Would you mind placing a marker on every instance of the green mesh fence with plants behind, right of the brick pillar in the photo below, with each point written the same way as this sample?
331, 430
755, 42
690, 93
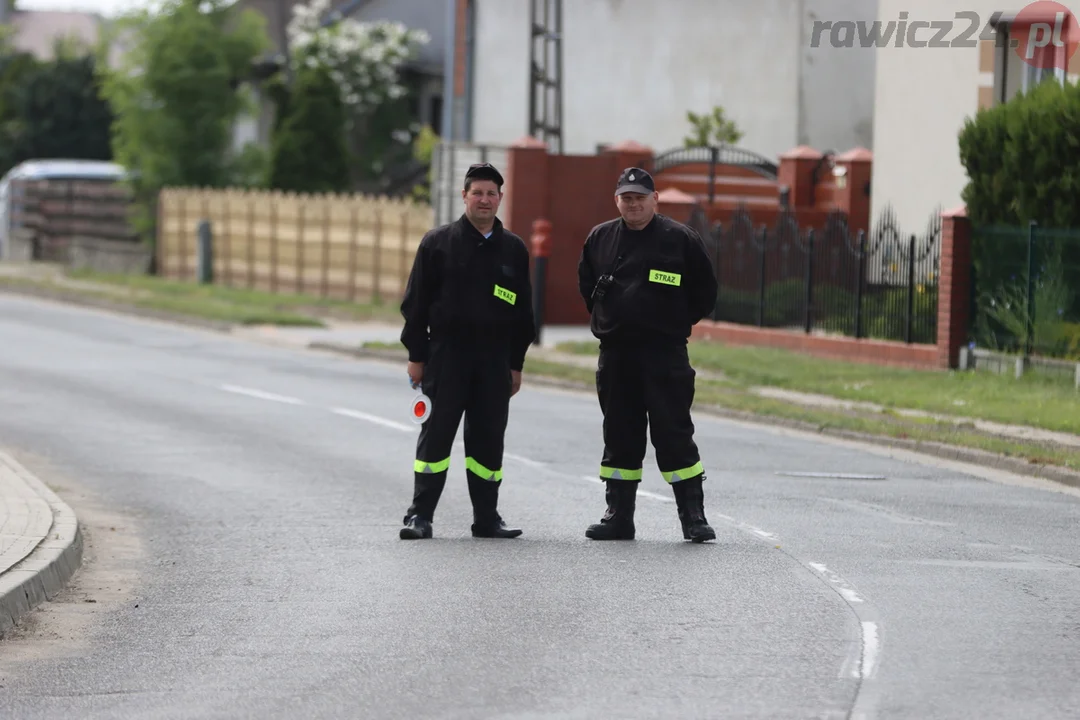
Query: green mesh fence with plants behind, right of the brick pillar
1027, 291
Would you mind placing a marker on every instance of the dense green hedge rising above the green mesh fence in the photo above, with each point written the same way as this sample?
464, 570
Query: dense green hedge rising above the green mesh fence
1023, 159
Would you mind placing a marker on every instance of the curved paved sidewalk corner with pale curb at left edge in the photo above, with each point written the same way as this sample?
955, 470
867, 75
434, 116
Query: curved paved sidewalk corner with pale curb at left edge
40, 542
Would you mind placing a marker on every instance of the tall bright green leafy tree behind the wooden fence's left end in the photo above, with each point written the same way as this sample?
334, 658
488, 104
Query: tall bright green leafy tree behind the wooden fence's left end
178, 96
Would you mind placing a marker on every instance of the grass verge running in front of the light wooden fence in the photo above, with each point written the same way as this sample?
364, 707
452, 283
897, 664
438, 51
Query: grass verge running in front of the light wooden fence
213, 303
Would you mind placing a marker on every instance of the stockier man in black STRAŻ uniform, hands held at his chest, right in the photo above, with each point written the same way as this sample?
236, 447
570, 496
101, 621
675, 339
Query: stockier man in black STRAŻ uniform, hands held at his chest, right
646, 280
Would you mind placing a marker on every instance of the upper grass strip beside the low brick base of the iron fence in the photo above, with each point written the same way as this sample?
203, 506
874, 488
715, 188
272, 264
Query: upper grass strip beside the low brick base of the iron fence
1035, 401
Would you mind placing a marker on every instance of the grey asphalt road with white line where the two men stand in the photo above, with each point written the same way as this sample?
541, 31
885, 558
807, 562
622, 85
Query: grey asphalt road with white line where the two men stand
242, 506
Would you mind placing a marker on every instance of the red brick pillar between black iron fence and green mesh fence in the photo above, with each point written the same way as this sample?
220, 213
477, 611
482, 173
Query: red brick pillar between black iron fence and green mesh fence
954, 287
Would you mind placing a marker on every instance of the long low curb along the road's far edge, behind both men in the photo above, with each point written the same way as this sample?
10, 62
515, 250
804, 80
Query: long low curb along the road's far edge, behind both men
942, 451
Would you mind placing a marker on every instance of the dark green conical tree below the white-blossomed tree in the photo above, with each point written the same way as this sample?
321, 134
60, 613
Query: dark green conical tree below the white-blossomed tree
310, 154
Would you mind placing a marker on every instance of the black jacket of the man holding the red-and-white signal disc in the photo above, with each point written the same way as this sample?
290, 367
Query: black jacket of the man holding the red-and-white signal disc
471, 289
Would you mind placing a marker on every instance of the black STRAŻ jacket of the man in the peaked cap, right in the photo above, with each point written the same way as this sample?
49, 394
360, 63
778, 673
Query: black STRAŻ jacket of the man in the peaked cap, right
664, 281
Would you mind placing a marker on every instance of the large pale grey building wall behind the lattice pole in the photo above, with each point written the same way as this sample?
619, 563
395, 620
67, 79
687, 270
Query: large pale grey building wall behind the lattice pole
632, 70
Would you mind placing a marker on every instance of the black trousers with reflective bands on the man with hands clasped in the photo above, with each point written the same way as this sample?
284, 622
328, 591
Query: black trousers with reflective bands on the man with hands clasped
641, 387
